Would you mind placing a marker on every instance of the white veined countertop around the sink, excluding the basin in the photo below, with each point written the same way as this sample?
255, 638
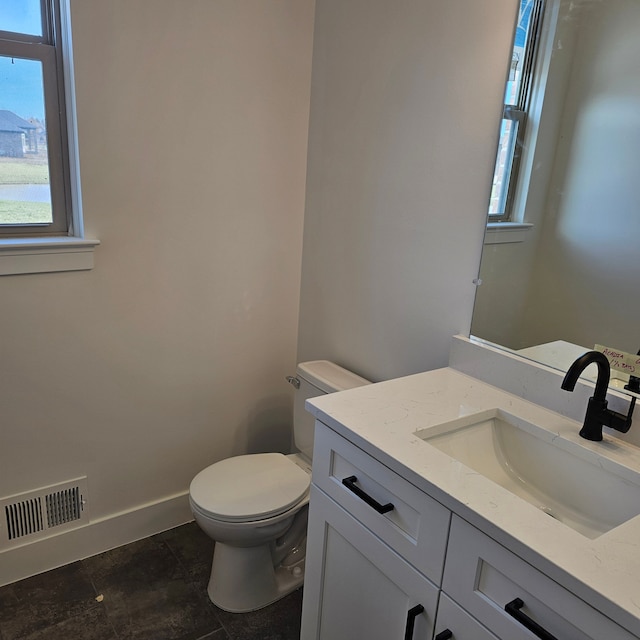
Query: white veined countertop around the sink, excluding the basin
382, 419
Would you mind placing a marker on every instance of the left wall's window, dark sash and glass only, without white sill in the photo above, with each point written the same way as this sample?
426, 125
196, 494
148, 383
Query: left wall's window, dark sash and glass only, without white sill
35, 181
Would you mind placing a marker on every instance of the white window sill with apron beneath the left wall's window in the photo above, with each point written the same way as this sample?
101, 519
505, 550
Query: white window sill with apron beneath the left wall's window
45, 255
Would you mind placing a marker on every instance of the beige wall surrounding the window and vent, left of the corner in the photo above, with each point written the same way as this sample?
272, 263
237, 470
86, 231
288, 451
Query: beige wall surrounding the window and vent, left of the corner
170, 354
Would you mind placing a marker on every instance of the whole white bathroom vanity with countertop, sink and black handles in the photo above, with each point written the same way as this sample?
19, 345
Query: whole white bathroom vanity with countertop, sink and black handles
440, 501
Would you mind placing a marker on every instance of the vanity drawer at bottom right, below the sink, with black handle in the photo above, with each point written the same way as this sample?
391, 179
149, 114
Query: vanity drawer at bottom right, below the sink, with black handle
483, 576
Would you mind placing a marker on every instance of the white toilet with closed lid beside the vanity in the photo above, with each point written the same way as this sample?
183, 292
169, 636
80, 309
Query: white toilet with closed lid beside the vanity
255, 506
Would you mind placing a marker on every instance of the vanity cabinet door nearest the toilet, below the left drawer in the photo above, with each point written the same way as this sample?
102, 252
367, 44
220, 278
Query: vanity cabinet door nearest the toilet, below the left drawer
356, 586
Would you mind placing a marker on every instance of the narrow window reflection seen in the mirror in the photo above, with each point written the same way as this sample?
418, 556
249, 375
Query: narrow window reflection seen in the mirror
514, 117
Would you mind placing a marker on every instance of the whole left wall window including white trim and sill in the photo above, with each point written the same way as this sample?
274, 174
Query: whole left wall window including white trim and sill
41, 227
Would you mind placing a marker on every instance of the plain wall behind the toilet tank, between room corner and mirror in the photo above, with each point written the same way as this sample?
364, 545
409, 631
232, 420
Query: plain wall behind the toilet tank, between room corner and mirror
406, 100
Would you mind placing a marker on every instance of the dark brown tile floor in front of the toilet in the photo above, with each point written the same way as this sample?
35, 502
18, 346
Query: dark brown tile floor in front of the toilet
154, 589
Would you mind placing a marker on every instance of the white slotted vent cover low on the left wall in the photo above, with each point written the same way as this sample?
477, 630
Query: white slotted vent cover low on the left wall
42, 513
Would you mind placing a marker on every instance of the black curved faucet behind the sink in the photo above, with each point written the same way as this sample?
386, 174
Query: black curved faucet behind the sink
597, 415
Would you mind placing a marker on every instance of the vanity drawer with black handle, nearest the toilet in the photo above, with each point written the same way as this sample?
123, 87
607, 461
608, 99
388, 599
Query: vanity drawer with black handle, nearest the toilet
417, 526
